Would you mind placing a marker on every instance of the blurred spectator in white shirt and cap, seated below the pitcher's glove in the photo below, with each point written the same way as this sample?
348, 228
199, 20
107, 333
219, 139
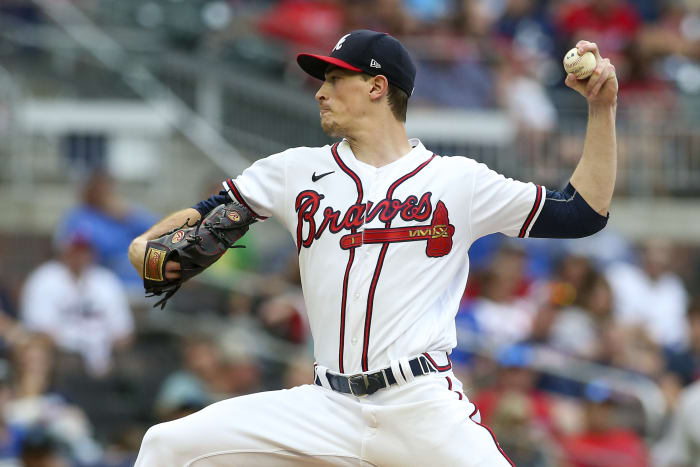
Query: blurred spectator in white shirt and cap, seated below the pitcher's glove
82, 306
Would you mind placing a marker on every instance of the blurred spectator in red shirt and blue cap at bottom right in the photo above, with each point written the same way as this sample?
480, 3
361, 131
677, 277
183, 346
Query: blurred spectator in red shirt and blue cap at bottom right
604, 442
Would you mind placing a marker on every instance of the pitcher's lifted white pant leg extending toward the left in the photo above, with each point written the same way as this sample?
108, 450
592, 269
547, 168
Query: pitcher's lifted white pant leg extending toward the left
307, 425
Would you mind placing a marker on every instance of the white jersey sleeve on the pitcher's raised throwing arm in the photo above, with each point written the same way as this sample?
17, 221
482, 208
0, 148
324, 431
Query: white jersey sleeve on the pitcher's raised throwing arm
501, 204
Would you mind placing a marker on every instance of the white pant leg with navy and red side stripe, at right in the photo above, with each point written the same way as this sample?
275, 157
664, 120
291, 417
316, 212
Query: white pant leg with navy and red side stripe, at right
428, 422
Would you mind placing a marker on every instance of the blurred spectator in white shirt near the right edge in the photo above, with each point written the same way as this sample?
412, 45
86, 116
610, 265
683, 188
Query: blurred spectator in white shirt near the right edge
652, 296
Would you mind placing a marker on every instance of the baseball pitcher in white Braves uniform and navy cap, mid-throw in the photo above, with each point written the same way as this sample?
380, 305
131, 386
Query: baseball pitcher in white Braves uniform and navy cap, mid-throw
382, 227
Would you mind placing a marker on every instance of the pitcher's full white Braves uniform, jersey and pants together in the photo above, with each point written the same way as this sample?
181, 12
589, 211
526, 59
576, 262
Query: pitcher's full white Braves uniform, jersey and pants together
383, 259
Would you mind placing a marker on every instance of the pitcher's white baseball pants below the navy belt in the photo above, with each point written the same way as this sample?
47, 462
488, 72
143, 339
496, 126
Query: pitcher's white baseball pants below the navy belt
425, 422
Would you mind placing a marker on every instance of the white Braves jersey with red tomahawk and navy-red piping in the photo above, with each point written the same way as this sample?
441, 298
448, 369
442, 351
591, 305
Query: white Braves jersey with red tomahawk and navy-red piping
383, 251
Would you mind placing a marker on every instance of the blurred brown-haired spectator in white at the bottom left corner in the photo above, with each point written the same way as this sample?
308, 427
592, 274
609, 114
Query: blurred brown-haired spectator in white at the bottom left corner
35, 405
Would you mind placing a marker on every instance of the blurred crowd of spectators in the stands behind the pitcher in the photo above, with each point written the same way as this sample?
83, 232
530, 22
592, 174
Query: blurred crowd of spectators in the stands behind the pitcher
562, 344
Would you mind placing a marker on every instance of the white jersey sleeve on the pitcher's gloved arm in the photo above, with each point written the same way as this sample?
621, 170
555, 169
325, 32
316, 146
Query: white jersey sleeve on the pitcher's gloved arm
261, 187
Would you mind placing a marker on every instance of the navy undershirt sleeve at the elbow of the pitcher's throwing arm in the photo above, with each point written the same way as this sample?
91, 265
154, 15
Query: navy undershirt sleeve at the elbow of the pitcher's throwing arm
566, 214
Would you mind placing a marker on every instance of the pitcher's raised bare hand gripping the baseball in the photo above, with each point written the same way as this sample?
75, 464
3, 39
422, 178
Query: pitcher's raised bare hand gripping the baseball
601, 87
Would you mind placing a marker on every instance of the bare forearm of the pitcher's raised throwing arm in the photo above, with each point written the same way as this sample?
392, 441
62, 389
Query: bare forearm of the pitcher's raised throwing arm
594, 177
